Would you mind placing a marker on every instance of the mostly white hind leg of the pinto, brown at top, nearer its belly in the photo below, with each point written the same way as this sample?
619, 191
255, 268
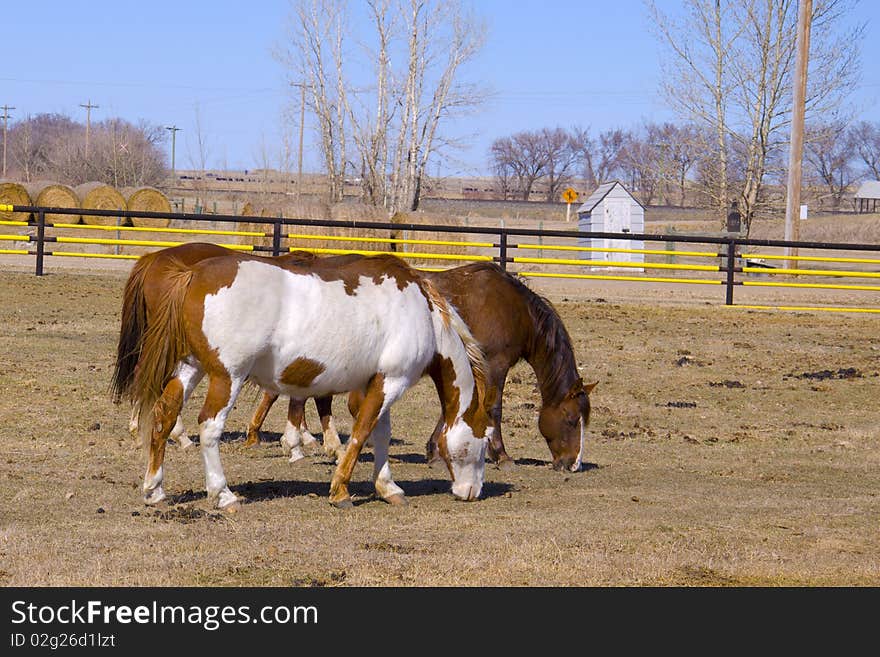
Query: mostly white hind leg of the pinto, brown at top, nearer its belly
222, 392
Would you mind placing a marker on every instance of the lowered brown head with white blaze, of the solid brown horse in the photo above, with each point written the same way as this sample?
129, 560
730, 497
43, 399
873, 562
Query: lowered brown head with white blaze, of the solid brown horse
564, 426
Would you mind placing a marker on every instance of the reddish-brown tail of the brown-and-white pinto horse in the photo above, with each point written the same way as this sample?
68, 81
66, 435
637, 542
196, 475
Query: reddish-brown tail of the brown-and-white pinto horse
163, 343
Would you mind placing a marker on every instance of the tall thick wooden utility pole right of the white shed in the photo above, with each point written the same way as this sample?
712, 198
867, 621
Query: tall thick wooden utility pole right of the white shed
796, 152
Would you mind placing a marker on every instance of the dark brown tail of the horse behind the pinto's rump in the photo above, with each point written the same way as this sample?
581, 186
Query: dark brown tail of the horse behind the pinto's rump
134, 324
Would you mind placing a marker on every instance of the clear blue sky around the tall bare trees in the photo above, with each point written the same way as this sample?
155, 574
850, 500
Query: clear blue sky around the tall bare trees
550, 63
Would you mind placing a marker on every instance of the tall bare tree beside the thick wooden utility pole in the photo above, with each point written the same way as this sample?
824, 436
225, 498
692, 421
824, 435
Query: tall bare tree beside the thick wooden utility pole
730, 69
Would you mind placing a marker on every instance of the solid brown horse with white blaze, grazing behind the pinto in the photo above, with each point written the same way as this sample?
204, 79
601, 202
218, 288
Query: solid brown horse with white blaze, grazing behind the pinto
510, 322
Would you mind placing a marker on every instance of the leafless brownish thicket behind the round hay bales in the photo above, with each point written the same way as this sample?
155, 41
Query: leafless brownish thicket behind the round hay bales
55, 147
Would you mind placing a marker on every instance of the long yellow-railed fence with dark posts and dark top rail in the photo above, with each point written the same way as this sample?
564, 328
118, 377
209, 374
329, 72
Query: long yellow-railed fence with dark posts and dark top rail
732, 268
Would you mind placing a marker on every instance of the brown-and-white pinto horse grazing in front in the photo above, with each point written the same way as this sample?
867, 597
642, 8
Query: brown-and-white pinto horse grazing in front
305, 330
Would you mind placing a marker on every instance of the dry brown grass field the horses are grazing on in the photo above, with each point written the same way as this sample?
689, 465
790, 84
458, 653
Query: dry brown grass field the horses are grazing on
727, 448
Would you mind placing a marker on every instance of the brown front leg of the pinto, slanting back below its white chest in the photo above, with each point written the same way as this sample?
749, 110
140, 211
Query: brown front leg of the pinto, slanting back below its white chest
380, 393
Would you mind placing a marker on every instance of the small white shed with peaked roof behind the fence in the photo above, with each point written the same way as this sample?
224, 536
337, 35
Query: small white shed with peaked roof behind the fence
612, 209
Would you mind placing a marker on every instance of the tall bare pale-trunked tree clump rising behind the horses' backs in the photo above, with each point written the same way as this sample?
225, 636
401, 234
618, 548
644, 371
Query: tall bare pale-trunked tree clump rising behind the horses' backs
394, 124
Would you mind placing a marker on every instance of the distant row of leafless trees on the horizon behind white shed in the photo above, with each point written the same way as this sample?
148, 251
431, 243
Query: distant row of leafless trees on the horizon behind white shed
669, 164
